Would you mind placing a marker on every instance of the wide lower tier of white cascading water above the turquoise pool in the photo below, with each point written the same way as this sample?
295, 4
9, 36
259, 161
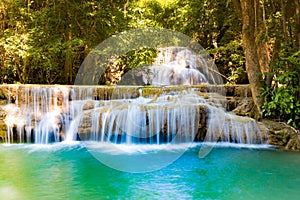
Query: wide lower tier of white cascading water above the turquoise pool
51, 114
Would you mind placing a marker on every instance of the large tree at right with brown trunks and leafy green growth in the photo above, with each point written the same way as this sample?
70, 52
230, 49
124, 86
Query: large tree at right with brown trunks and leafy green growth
277, 47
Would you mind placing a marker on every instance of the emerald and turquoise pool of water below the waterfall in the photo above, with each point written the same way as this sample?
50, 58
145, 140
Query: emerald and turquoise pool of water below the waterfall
71, 172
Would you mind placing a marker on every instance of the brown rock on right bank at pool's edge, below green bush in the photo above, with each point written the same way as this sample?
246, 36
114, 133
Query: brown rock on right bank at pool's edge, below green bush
280, 134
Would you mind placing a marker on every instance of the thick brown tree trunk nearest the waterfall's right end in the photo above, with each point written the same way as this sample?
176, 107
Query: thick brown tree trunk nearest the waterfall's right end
250, 50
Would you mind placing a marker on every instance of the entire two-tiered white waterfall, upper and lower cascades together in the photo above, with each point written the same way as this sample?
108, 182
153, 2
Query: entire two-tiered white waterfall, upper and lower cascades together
131, 114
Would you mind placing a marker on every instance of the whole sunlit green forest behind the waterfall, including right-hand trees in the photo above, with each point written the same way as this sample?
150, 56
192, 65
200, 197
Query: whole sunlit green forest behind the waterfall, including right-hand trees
255, 41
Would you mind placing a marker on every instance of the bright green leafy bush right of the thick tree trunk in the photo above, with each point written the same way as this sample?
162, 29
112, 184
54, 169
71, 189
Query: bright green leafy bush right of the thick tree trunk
282, 100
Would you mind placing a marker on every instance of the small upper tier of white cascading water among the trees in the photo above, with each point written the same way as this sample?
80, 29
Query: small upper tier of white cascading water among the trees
178, 66
